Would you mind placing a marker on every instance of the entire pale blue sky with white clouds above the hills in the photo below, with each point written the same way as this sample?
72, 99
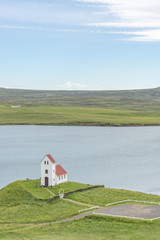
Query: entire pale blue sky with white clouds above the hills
79, 44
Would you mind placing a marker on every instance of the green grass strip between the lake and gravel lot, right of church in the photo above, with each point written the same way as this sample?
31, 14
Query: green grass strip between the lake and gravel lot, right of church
103, 196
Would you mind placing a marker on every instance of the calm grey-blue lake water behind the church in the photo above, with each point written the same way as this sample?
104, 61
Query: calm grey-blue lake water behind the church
127, 157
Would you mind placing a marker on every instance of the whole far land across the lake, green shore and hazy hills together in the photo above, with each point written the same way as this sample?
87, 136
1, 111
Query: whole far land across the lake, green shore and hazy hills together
97, 108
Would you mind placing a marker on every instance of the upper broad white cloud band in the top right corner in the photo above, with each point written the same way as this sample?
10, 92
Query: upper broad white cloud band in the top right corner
129, 13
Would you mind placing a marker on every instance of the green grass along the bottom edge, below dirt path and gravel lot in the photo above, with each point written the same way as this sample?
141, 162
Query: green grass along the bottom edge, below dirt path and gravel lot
94, 228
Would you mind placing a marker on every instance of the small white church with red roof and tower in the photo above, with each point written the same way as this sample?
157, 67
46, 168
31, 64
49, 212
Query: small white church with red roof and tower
52, 174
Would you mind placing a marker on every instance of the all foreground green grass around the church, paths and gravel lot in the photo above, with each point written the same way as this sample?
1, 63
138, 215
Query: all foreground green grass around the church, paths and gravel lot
25, 214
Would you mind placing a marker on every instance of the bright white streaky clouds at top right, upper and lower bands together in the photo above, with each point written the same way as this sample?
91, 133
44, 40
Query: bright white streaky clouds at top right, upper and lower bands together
130, 14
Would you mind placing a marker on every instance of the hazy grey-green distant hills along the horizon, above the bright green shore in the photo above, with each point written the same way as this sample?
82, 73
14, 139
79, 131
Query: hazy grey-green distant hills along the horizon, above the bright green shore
77, 98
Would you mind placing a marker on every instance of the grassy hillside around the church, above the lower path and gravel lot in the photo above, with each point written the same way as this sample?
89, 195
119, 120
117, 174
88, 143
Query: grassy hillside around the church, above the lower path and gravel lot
28, 194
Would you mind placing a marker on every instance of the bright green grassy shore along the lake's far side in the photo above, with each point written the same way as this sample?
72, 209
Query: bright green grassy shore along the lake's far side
77, 116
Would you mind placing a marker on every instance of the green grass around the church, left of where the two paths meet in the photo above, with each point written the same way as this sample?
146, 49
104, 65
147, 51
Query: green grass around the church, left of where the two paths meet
22, 202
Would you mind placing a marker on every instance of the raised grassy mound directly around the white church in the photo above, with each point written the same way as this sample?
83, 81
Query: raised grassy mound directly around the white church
25, 191
